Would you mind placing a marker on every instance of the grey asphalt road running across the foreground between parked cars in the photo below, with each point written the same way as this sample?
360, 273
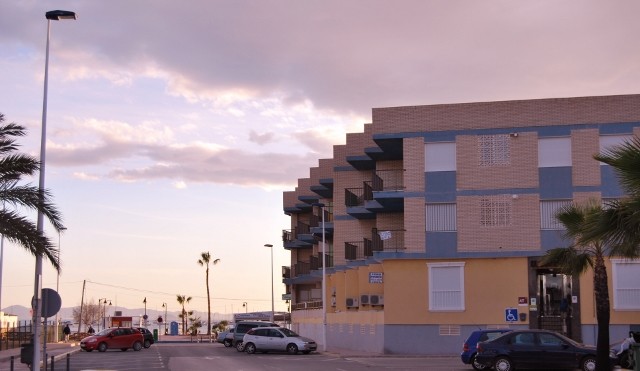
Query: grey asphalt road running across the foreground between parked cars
200, 357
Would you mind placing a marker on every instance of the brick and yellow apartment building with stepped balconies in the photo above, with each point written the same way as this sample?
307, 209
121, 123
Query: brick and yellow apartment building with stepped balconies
432, 221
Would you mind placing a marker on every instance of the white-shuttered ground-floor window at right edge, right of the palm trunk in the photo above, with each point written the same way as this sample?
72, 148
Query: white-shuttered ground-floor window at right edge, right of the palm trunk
626, 286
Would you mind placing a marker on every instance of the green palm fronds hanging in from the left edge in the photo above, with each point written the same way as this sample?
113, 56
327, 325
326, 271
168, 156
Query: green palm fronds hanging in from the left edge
16, 228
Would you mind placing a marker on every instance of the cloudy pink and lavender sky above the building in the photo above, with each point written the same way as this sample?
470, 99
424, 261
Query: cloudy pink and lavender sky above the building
174, 127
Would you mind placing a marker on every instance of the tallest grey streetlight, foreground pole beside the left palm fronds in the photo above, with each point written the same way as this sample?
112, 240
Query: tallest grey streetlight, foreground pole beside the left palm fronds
54, 15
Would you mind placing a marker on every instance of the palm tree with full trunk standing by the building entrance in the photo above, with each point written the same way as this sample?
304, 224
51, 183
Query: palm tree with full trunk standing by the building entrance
581, 255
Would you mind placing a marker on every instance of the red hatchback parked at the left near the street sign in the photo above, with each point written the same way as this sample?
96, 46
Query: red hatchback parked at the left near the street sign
113, 338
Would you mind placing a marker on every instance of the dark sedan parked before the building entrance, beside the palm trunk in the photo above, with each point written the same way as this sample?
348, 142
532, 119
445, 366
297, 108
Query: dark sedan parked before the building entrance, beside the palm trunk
537, 349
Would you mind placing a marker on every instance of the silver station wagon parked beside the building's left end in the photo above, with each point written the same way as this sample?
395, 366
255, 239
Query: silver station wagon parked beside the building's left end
264, 339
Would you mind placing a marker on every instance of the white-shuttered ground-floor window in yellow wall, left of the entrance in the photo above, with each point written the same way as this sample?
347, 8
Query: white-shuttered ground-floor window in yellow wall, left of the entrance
446, 286
